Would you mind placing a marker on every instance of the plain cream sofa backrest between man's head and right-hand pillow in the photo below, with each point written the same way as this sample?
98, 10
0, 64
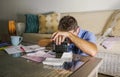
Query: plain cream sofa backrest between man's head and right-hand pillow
92, 21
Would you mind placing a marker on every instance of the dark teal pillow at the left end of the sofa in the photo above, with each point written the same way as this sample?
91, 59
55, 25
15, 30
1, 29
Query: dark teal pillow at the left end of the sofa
32, 24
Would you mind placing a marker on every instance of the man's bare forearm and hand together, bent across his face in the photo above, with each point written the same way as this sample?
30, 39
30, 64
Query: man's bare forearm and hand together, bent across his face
86, 46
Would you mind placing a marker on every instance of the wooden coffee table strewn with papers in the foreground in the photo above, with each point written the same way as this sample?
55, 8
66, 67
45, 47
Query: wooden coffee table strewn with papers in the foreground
20, 67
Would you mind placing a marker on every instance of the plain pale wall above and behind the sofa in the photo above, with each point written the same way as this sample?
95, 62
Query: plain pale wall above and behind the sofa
12, 8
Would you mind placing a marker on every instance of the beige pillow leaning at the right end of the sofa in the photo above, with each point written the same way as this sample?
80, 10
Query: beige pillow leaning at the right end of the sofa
113, 23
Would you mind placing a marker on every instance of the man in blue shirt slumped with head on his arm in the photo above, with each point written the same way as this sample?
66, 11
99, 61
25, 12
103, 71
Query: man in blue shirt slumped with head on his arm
81, 41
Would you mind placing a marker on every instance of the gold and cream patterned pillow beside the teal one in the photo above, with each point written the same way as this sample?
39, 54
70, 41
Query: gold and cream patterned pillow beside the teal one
48, 23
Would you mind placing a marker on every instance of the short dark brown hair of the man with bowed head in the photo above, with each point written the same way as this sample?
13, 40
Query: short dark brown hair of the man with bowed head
67, 23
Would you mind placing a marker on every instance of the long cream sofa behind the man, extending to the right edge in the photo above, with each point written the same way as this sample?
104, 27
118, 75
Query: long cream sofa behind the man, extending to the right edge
105, 25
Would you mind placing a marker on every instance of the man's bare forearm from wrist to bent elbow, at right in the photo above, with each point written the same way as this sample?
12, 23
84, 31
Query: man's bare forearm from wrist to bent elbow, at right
86, 46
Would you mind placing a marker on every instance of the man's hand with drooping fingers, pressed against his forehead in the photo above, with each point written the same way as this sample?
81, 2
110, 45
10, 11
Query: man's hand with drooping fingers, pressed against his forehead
59, 37
